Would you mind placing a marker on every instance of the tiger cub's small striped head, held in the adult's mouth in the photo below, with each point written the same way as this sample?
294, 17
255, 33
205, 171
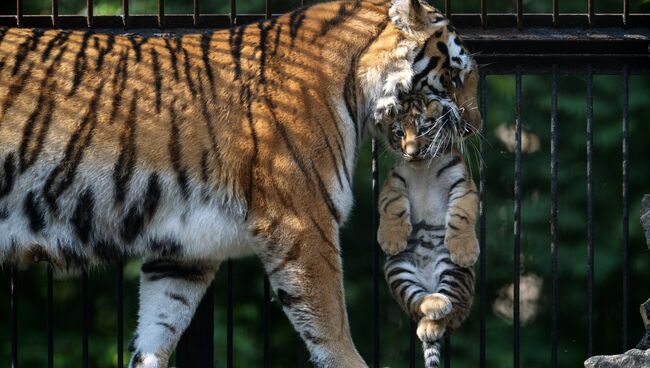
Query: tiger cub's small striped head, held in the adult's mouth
427, 127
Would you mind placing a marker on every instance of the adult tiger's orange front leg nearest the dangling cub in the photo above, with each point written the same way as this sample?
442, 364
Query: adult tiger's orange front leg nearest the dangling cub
304, 269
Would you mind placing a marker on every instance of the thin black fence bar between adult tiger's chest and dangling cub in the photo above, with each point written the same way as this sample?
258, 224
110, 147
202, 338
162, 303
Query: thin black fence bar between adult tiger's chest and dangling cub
375, 255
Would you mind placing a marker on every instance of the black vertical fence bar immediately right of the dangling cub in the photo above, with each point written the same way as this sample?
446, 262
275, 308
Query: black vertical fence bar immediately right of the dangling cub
482, 221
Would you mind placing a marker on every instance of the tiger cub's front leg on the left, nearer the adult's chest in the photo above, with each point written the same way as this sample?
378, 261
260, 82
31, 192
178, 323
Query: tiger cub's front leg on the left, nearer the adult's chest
394, 215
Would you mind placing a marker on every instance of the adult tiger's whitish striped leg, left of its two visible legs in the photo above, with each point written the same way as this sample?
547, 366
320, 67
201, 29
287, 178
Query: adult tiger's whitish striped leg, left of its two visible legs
170, 291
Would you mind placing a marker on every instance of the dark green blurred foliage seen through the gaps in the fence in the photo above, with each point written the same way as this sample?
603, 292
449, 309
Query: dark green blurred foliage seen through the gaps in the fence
357, 243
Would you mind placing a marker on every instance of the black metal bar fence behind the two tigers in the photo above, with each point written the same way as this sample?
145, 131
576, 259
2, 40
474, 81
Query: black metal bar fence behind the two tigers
506, 44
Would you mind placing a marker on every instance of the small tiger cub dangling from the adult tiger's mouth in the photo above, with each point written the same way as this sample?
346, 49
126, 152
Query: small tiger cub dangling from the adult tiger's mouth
427, 215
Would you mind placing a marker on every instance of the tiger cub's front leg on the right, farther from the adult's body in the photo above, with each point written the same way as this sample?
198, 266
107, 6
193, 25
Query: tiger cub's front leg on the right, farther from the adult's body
460, 238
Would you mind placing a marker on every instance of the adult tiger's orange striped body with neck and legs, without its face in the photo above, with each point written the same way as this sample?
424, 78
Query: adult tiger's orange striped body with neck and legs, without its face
191, 150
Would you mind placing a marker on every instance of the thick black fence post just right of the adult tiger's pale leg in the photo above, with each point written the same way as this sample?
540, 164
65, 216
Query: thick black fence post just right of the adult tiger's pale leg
196, 347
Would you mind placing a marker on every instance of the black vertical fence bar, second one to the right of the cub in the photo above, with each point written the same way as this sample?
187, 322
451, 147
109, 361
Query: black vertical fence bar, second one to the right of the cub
517, 217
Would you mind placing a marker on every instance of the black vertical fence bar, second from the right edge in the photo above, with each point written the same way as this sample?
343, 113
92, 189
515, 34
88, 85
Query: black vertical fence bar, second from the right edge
590, 215
